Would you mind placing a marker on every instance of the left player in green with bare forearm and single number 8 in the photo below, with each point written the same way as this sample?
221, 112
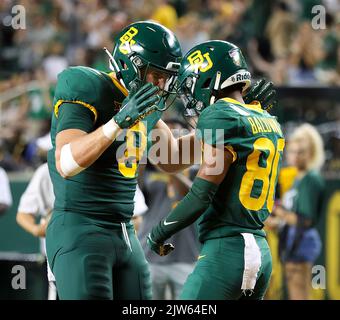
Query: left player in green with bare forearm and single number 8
91, 245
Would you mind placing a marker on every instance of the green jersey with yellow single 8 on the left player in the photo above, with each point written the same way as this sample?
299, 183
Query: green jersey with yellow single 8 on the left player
86, 99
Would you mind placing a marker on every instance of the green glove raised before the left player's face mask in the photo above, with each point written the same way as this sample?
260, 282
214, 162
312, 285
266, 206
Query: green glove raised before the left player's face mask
137, 106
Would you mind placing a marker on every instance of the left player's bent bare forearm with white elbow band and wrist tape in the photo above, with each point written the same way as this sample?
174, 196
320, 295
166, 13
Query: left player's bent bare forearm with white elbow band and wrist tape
77, 150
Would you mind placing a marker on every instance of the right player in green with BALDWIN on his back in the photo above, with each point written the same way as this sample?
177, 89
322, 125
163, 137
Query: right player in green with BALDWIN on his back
233, 192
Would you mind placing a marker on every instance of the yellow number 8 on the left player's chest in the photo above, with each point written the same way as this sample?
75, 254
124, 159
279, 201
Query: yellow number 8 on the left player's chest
128, 163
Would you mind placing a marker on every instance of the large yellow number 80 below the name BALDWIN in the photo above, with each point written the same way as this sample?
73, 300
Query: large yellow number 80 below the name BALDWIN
266, 174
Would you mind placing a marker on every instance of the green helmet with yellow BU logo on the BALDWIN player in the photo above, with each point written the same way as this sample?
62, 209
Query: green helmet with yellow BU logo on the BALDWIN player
208, 68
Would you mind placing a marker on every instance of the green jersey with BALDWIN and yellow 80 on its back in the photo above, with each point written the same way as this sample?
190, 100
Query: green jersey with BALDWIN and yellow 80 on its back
245, 198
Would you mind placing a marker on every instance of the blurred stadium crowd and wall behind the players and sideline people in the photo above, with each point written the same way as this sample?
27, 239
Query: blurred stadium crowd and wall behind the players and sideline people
278, 39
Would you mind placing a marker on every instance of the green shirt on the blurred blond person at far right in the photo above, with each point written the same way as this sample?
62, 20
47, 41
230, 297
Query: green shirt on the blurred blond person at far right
310, 199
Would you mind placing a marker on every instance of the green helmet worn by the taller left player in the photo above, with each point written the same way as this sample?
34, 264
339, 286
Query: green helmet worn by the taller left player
143, 45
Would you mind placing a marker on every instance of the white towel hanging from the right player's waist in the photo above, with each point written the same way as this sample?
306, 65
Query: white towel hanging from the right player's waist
252, 261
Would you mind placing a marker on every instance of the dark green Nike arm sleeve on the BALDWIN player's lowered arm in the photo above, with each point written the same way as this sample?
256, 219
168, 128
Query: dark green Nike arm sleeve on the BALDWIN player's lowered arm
188, 210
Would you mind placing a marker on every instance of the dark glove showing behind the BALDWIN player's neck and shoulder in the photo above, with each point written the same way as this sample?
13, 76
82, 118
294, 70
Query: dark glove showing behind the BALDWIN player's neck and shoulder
263, 92
